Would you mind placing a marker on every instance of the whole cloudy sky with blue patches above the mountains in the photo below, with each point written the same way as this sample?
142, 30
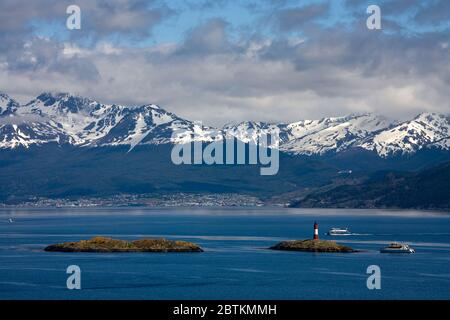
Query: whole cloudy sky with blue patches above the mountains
226, 61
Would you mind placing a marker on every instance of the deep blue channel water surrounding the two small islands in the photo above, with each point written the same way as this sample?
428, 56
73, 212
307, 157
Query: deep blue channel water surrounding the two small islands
235, 264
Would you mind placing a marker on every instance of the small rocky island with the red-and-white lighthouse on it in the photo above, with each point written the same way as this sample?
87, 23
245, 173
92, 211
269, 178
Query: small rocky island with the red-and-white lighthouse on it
312, 245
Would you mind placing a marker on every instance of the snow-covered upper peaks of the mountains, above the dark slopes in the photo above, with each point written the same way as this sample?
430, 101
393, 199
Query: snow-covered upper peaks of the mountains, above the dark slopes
67, 119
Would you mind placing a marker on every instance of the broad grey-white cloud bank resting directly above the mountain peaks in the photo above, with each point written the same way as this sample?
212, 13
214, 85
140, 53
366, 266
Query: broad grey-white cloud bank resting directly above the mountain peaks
217, 75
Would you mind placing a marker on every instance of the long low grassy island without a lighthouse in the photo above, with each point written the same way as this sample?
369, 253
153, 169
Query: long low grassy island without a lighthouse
104, 244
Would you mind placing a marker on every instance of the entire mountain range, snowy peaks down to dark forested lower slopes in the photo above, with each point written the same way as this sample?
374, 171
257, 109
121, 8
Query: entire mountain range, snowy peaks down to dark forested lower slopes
66, 146
